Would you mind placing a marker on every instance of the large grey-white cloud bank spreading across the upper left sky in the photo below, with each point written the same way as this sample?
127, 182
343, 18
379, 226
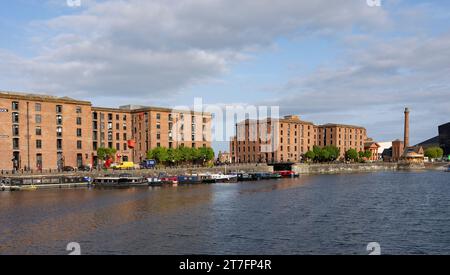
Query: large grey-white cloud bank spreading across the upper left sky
149, 48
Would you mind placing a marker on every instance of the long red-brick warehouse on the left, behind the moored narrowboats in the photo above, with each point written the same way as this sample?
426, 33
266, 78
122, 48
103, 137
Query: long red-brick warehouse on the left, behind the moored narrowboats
49, 132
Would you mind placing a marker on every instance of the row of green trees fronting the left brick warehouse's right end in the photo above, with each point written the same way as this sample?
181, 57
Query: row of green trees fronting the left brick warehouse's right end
181, 154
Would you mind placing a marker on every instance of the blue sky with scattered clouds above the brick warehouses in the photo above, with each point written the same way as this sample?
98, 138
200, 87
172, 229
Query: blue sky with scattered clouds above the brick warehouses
341, 61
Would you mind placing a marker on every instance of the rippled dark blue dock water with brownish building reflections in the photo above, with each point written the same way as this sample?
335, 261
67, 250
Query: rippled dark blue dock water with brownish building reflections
407, 213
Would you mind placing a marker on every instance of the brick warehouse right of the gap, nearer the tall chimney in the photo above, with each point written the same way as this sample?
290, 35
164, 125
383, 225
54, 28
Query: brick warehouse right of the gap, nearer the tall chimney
289, 138
